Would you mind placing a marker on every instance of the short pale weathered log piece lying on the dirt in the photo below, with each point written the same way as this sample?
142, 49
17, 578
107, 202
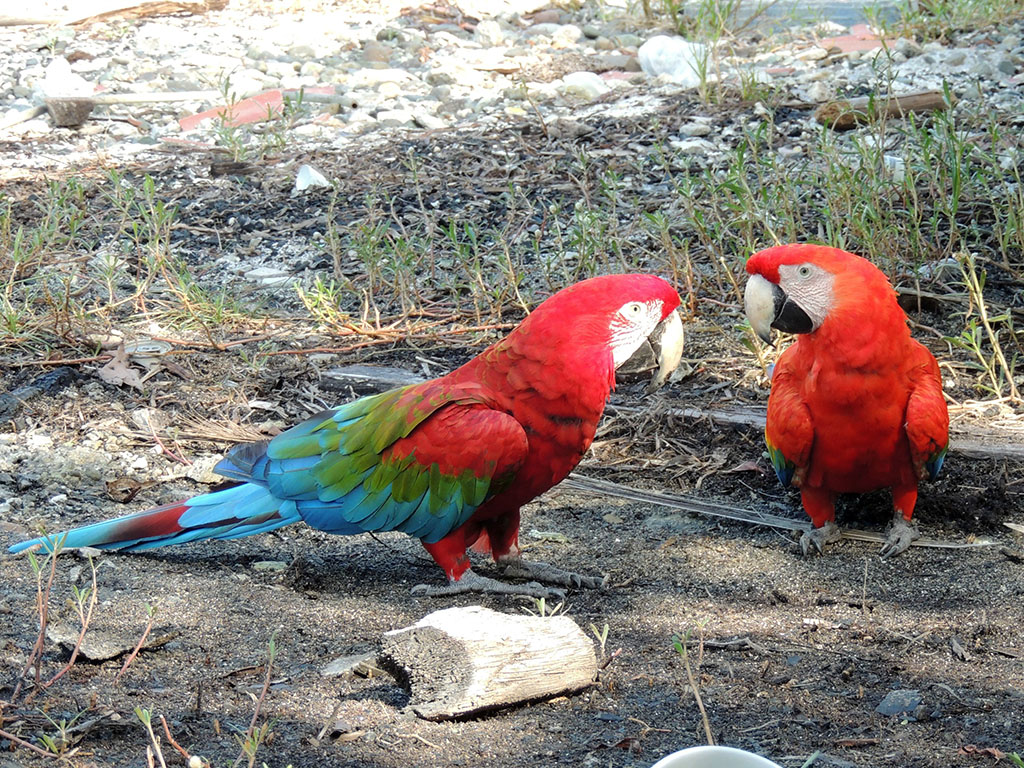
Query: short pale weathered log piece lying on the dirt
463, 661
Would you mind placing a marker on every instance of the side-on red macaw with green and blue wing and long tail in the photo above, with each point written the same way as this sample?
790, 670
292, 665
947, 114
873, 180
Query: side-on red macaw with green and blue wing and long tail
449, 461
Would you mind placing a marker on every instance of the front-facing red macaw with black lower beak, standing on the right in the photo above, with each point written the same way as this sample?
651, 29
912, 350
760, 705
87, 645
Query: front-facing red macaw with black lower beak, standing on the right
857, 405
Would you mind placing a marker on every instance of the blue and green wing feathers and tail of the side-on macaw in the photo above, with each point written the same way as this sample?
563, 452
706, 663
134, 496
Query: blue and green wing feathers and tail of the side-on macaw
330, 472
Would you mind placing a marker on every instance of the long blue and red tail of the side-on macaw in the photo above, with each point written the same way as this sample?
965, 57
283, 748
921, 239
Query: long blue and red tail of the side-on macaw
242, 510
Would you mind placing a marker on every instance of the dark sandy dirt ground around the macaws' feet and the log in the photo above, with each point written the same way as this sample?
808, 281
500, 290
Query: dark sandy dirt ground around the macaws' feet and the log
792, 655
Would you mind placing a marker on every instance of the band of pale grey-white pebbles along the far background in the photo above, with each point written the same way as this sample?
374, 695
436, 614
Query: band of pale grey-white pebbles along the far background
403, 74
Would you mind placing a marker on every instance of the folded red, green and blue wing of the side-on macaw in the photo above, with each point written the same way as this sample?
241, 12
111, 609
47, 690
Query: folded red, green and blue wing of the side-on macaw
420, 459
